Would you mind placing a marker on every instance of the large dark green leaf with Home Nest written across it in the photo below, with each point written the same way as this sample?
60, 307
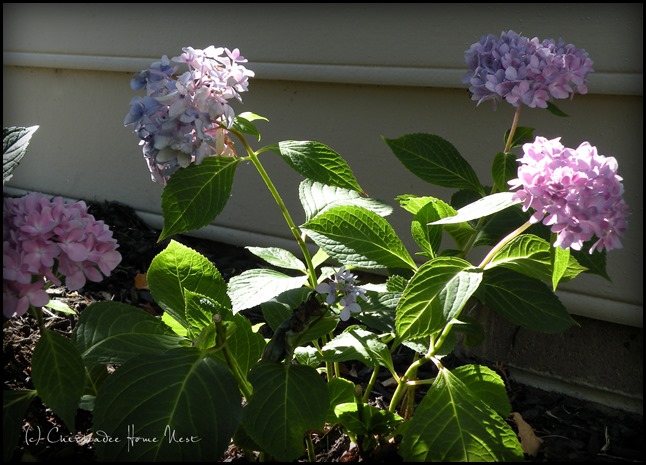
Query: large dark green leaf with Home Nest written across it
180, 406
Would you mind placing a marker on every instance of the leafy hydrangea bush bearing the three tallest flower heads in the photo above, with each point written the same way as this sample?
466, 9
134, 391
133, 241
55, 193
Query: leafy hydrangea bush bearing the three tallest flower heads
203, 373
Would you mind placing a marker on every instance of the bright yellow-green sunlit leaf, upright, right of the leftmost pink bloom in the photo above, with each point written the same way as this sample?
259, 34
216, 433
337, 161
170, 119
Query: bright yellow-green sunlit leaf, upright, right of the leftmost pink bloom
177, 268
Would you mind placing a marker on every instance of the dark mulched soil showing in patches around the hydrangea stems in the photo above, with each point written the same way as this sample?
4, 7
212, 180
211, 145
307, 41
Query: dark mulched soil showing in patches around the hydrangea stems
570, 430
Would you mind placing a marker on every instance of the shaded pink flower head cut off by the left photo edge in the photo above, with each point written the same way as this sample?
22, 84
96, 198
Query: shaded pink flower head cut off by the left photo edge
45, 240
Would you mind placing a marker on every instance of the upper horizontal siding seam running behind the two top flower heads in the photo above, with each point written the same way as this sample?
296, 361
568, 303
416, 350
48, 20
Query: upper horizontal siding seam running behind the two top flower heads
603, 83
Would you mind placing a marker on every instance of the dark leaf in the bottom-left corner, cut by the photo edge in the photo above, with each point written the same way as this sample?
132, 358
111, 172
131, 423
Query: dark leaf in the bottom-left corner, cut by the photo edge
14, 407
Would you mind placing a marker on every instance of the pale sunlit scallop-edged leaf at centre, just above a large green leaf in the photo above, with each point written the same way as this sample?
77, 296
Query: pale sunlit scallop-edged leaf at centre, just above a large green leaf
316, 197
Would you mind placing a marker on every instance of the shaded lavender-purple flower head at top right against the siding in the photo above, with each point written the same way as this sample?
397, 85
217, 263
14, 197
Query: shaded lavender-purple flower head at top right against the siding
525, 71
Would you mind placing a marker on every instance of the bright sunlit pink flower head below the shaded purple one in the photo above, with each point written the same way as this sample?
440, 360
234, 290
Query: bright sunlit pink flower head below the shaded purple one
576, 192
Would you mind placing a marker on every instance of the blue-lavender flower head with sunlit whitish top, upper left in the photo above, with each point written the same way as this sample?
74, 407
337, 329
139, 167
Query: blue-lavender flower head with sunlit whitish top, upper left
183, 119
